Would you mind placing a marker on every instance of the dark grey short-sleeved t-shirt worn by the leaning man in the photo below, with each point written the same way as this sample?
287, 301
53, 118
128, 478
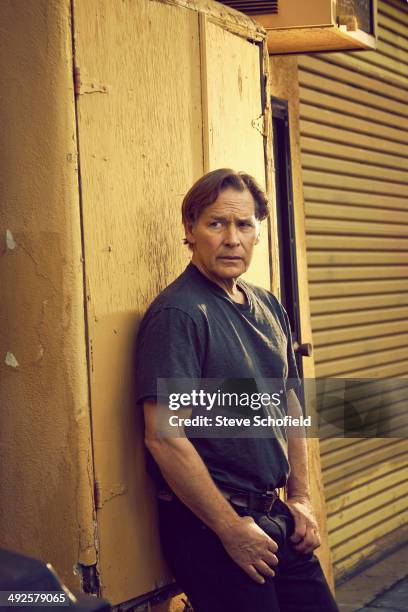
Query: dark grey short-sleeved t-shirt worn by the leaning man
194, 330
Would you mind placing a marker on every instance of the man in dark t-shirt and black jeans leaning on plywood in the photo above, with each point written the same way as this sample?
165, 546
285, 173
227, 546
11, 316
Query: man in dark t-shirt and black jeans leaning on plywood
231, 544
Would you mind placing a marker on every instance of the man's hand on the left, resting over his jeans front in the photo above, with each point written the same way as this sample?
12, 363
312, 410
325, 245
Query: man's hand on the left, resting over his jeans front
251, 548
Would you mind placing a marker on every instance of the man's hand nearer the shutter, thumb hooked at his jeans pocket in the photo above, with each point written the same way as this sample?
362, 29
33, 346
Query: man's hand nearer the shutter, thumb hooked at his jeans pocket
306, 535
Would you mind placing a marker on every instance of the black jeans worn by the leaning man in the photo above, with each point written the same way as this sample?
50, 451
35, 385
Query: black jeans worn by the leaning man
213, 582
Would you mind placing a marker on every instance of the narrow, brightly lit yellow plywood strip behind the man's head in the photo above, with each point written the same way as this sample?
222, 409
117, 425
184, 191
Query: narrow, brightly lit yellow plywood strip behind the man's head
234, 126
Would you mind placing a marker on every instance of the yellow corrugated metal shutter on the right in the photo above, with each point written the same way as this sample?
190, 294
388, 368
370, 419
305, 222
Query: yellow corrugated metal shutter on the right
354, 139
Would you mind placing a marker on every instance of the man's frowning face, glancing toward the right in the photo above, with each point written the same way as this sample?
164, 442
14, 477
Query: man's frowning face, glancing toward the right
224, 235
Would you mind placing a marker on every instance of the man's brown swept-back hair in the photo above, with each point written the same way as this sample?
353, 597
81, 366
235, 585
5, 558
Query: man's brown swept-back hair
207, 189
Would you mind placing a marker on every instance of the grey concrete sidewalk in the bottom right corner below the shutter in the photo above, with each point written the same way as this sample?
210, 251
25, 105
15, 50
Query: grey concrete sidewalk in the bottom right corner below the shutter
380, 588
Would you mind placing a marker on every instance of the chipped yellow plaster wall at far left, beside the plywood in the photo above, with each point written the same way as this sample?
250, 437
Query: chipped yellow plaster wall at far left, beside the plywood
46, 462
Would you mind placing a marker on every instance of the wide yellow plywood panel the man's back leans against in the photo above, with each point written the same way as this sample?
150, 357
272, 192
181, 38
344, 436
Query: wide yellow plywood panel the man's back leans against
140, 133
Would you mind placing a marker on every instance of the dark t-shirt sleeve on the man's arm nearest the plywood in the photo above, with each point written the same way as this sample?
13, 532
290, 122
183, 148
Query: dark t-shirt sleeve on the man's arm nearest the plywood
168, 346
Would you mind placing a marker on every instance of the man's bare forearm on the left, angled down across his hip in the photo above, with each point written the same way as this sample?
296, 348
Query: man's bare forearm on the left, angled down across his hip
188, 477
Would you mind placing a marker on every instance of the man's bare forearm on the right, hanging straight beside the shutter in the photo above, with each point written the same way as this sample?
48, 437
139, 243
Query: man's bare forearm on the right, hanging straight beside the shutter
298, 481
